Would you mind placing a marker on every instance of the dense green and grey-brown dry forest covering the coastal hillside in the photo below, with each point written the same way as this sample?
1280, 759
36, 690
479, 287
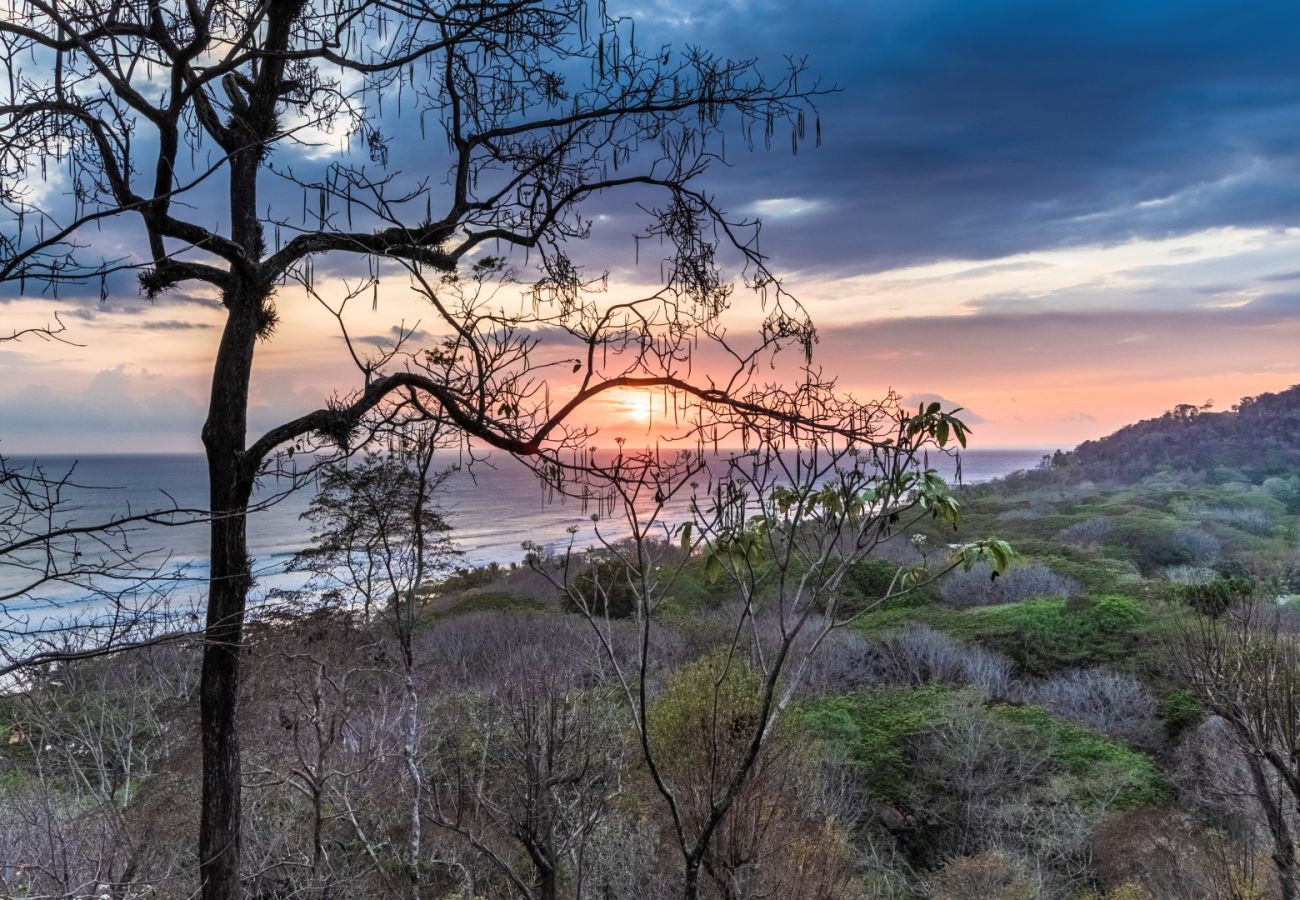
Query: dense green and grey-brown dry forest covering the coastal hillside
1035, 735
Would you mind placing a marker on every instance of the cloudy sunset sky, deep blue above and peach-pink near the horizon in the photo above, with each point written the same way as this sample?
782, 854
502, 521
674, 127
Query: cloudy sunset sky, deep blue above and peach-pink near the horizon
1060, 217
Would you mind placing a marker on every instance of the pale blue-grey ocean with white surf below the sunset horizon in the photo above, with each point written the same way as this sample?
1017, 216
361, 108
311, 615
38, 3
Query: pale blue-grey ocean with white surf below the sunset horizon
492, 509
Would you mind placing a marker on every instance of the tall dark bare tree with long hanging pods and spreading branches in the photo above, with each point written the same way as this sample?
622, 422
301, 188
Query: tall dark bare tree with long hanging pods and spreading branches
158, 110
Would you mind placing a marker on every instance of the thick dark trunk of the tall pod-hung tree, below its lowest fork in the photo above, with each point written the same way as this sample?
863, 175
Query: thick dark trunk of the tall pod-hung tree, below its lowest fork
231, 578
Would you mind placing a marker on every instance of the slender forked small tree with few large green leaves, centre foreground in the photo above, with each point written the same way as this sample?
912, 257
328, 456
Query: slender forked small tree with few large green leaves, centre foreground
781, 531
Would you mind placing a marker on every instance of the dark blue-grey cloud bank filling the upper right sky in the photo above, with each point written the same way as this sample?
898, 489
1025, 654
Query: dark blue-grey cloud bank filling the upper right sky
983, 129
